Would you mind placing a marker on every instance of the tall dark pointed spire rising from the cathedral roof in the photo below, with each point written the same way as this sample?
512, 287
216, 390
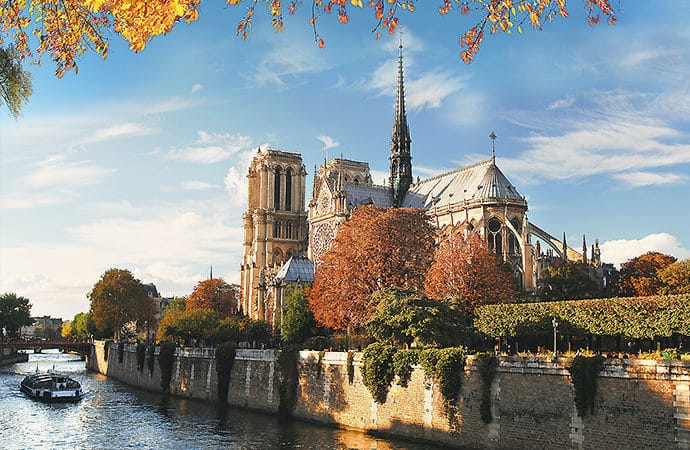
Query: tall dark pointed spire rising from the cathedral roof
401, 159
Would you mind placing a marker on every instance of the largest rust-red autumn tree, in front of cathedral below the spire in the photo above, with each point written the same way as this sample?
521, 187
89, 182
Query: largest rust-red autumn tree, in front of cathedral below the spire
375, 249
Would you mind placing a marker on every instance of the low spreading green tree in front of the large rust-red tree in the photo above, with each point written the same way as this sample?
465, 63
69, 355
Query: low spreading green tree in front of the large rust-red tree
405, 316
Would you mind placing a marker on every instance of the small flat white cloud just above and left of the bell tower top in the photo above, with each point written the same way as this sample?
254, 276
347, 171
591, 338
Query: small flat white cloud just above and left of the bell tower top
211, 148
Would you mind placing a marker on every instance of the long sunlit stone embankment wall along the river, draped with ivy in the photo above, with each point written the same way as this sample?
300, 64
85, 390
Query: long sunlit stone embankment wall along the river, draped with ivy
639, 403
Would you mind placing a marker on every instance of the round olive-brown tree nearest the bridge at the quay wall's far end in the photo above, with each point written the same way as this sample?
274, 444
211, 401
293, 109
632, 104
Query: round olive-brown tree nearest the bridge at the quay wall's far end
117, 299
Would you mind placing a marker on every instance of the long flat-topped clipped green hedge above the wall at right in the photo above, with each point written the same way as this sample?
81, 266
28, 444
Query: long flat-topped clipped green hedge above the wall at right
632, 317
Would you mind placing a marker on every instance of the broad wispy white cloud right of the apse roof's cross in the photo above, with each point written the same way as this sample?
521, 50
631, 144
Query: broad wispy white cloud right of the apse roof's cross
619, 134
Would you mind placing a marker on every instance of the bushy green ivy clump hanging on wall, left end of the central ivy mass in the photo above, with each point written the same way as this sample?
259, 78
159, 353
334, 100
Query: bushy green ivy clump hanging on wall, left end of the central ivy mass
377, 370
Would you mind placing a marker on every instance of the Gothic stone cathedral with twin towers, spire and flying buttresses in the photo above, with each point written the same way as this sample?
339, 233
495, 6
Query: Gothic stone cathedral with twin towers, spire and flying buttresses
283, 242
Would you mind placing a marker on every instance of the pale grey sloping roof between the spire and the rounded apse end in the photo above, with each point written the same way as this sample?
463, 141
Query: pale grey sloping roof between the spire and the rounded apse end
483, 180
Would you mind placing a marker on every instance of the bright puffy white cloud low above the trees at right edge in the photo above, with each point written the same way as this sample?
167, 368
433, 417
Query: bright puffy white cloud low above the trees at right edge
621, 250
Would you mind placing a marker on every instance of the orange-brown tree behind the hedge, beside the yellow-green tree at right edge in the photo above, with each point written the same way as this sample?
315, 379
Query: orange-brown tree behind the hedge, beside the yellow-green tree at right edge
640, 276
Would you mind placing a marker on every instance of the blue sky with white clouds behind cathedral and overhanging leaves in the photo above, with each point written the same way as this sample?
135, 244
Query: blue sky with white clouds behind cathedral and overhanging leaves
139, 162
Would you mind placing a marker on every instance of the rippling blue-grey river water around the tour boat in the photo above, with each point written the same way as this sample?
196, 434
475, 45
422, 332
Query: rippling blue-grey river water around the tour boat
116, 416
